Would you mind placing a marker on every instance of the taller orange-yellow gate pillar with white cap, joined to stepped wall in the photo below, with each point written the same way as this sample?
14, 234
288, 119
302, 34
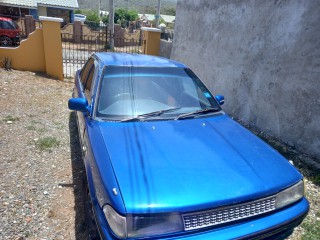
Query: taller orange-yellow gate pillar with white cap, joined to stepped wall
52, 46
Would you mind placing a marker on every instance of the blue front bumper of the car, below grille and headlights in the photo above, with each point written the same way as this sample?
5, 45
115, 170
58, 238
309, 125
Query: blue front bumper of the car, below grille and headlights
278, 225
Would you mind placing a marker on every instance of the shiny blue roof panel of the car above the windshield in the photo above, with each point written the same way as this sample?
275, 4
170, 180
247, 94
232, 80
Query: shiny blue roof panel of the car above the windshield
136, 60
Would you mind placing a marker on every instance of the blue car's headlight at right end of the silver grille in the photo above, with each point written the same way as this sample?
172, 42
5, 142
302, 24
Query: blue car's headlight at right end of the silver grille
290, 195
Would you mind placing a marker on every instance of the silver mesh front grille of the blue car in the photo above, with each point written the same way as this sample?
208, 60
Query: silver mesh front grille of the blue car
228, 214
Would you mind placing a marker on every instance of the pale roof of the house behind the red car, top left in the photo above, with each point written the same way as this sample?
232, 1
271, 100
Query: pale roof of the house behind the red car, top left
34, 3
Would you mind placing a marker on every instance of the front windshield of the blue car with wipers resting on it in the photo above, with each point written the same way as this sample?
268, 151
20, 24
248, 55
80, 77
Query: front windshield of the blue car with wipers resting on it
151, 92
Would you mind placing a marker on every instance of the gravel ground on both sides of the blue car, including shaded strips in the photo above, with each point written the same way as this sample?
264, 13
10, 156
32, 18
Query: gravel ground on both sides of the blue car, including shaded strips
40, 165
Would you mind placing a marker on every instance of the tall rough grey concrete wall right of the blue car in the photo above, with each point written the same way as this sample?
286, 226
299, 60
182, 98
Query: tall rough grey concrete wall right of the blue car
264, 56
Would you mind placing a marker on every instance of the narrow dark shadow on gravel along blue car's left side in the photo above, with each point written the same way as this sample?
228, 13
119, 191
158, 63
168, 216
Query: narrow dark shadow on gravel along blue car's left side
79, 179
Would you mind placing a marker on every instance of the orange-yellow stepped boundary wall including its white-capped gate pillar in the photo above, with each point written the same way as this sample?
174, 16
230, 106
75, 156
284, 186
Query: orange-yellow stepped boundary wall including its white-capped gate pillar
41, 52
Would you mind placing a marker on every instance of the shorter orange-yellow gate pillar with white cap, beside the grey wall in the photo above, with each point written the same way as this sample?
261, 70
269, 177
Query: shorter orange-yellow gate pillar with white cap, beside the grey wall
151, 41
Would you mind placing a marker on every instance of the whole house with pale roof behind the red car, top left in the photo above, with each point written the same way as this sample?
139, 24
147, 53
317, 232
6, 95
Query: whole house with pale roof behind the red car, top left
51, 8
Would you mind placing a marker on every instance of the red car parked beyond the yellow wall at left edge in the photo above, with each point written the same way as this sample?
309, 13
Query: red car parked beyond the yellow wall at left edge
9, 33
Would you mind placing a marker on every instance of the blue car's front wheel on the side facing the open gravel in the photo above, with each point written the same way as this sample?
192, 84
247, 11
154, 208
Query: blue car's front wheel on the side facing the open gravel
89, 214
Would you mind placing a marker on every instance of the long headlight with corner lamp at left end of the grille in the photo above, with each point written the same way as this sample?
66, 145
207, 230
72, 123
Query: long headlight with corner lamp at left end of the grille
133, 226
